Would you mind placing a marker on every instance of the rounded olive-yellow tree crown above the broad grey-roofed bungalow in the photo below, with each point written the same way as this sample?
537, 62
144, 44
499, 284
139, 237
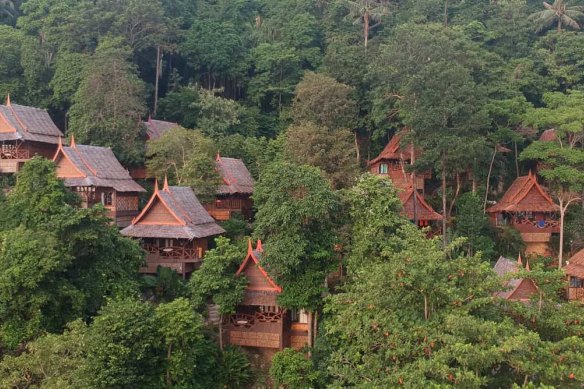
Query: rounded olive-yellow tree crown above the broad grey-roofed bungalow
187, 158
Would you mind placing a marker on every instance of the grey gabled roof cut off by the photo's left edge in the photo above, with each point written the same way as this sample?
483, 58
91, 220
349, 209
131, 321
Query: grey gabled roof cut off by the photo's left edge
28, 123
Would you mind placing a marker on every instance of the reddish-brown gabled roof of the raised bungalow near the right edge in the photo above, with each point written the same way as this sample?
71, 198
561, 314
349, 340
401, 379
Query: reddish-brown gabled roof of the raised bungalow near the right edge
525, 195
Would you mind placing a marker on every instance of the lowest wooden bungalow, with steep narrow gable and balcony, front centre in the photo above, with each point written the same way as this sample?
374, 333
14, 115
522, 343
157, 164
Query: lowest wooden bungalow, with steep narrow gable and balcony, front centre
259, 321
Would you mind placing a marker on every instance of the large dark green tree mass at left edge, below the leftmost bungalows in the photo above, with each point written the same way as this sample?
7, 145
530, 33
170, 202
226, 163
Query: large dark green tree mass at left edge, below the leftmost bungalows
58, 262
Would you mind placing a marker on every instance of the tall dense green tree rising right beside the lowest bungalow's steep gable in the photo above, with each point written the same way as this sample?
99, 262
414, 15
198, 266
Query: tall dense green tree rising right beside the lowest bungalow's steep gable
296, 208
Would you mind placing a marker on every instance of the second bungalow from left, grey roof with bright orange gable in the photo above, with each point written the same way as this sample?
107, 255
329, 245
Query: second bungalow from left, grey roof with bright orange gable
98, 177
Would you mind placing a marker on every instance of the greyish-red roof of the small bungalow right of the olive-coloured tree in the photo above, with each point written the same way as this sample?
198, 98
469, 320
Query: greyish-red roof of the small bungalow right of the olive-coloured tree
236, 179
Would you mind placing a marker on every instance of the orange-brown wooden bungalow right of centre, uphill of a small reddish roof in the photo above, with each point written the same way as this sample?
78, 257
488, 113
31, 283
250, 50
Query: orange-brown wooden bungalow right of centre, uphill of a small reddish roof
392, 162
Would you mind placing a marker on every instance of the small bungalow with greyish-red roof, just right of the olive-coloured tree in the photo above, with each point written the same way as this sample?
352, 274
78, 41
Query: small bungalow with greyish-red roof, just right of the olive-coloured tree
234, 192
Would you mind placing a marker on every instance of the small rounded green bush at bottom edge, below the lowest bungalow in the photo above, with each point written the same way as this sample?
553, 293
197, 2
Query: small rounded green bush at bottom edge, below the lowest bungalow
292, 370
